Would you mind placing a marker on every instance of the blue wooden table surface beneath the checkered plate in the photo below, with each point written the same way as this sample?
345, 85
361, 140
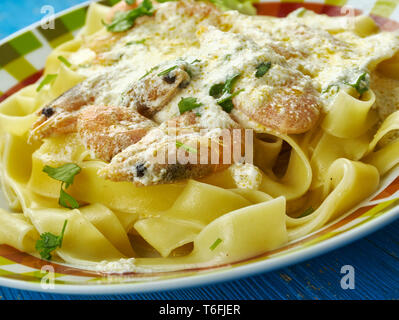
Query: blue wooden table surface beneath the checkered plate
375, 258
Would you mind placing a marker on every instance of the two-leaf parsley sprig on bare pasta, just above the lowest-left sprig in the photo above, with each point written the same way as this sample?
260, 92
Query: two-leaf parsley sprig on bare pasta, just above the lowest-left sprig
66, 175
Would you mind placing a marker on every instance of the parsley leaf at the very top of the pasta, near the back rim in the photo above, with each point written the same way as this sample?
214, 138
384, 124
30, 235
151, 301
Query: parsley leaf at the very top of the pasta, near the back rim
123, 21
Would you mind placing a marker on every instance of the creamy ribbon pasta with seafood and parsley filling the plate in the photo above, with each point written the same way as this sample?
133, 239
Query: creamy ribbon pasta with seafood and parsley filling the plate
176, 134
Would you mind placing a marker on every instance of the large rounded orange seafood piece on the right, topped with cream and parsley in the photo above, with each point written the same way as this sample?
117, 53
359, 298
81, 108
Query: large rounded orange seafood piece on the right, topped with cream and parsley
280, 97
